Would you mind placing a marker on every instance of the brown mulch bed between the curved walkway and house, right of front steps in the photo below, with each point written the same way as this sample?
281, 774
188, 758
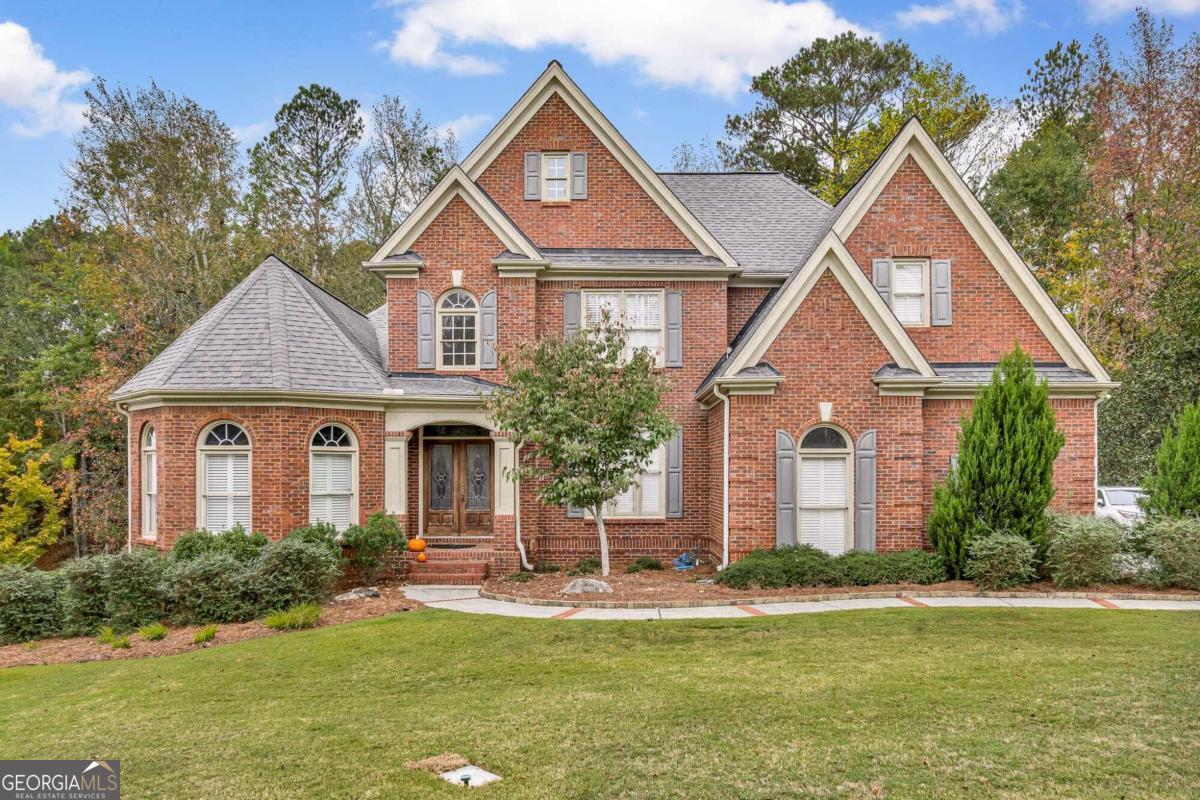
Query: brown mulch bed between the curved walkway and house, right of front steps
669, 586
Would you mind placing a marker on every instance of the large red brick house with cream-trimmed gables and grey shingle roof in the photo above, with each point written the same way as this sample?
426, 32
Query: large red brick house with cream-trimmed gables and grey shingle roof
820, 358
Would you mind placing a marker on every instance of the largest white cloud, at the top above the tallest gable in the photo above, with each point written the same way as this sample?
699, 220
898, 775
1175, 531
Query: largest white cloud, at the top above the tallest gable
710, 45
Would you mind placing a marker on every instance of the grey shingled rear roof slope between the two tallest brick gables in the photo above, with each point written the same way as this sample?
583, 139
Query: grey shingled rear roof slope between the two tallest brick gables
765, 220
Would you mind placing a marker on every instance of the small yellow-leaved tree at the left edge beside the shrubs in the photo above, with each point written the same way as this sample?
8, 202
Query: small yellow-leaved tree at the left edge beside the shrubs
31, 508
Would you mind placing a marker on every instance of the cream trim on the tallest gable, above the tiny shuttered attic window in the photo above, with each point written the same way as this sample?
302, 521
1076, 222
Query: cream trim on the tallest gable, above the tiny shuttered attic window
556, 81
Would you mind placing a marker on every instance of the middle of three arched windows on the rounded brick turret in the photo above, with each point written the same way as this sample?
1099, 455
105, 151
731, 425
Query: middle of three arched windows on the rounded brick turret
224, 465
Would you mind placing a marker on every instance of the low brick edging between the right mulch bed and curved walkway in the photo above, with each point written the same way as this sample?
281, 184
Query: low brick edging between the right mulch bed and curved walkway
832, 597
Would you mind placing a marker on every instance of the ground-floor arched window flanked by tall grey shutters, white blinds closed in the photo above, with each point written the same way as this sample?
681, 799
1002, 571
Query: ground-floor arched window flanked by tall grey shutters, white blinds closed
825, 491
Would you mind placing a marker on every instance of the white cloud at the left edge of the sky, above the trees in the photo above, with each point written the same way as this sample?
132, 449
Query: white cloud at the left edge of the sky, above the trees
35, 87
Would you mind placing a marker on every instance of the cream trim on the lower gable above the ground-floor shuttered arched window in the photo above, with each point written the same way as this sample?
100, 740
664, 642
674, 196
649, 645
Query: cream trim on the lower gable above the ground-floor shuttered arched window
831, 255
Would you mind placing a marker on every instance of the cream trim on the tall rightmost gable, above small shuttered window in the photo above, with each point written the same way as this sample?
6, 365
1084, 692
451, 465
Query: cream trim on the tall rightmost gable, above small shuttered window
915, 142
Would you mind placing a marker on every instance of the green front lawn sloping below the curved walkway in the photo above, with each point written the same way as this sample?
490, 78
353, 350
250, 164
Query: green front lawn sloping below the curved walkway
904, 703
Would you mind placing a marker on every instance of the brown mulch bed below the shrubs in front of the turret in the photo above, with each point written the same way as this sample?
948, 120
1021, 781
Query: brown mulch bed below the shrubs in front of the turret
179, 640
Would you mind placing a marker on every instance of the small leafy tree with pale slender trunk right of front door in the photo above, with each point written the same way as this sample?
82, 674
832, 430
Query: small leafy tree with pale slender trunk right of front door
585, 416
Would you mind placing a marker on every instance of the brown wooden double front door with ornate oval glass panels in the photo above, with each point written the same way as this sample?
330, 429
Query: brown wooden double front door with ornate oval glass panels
459, 488
